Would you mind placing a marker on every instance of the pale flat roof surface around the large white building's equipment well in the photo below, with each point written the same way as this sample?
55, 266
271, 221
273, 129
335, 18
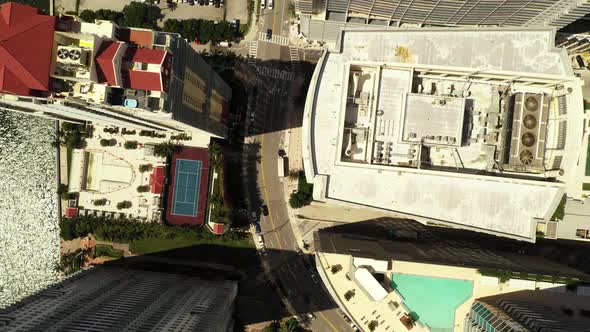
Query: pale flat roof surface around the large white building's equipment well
493, 204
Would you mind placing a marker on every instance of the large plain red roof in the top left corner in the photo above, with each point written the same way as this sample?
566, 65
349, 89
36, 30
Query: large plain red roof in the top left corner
26, 41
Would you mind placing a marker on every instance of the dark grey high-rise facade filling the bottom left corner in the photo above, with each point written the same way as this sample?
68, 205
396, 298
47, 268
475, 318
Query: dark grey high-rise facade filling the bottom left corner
109, 298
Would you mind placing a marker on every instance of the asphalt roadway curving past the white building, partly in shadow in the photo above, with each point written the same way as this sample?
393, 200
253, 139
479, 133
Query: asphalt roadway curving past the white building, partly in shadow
290, 270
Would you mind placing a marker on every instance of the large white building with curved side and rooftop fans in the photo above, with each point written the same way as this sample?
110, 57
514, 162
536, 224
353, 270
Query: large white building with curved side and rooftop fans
474, 128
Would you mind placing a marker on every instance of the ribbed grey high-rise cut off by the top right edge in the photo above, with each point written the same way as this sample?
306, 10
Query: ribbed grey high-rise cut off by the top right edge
323, 19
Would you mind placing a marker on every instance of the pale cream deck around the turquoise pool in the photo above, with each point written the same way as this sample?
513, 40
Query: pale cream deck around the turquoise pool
362, 309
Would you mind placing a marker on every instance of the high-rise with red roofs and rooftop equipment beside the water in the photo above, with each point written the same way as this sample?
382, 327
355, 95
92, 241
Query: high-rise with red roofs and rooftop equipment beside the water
70, 70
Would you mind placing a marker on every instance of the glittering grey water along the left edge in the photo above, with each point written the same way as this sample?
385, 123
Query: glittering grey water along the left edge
29, 230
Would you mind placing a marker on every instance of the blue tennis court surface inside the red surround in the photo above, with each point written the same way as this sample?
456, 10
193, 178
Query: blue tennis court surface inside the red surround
186, 187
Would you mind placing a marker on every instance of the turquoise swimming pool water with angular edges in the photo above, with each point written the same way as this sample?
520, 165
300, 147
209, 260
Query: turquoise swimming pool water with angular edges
433, 300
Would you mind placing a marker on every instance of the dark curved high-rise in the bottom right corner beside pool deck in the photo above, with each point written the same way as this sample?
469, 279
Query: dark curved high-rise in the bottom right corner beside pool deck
529, 310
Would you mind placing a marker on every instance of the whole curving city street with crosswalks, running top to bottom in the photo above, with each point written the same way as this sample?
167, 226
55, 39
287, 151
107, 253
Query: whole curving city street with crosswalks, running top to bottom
277, 109
